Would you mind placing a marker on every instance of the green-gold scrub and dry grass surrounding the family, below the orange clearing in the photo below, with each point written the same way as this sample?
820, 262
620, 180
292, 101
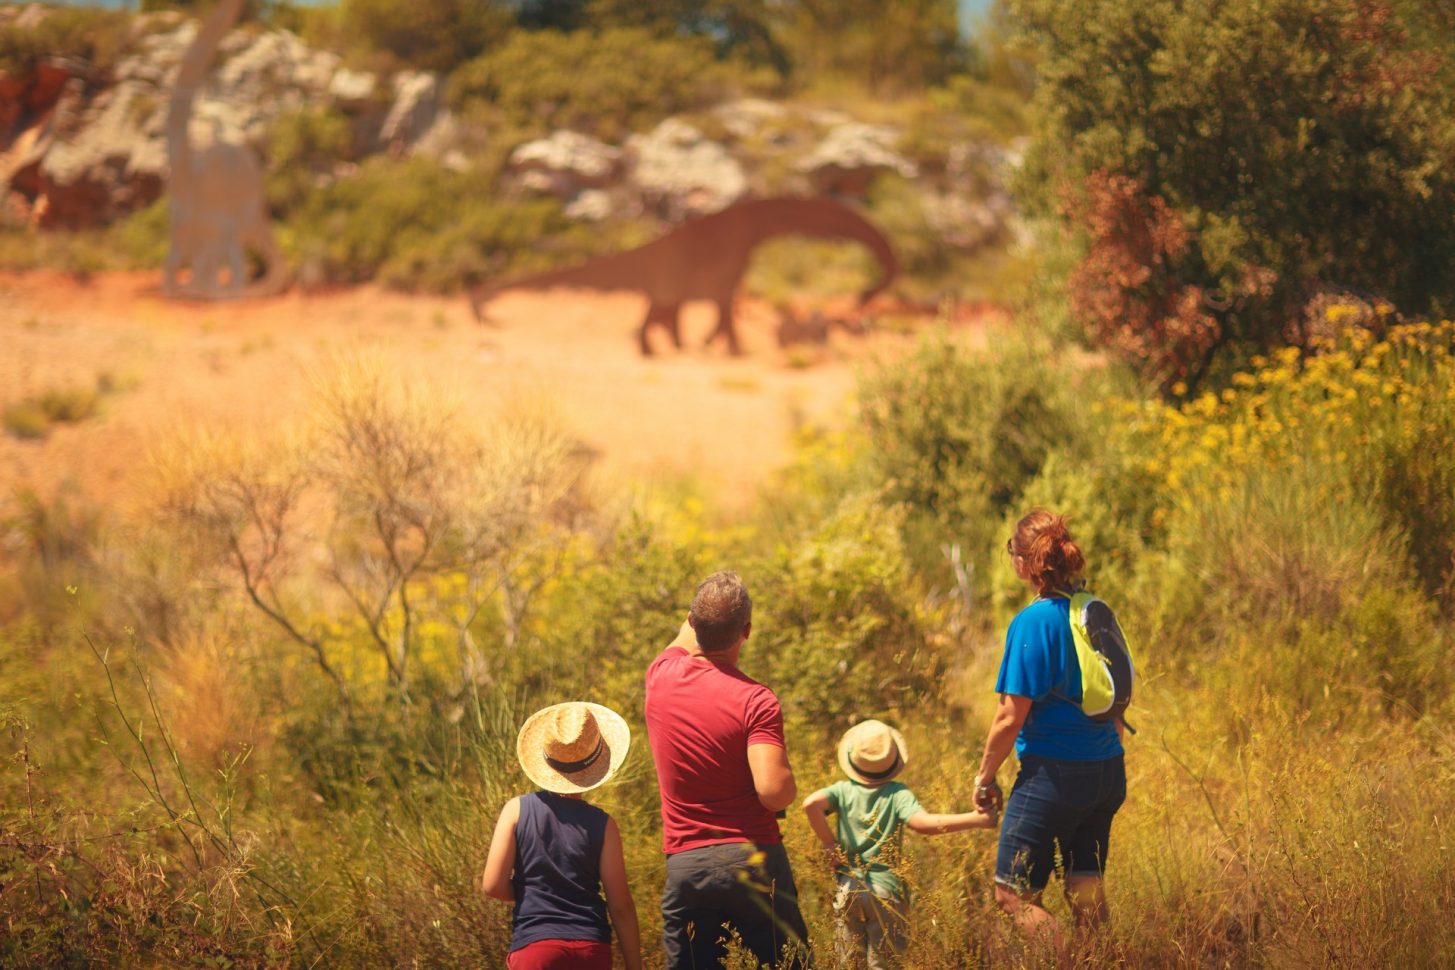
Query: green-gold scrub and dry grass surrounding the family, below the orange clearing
271, 722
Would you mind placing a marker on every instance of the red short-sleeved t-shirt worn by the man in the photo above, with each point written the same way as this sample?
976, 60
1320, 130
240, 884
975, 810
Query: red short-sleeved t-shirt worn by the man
701, 719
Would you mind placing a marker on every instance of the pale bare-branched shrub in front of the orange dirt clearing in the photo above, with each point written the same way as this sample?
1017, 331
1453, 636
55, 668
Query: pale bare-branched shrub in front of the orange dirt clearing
380, 520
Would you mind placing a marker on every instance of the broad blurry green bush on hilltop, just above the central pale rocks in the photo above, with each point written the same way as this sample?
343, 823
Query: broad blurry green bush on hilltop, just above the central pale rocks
607, 84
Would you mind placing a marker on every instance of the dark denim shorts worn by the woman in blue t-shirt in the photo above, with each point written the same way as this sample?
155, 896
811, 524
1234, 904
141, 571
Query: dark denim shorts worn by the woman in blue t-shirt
1066, 805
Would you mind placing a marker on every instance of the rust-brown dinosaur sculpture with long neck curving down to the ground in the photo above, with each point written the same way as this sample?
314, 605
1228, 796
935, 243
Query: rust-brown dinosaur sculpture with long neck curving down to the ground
706, 260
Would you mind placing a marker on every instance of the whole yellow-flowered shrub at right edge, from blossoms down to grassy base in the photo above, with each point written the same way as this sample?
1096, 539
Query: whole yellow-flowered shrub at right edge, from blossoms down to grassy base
1306, 517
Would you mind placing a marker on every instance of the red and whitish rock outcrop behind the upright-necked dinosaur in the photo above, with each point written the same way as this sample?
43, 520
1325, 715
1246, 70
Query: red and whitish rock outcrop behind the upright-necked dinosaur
76, 152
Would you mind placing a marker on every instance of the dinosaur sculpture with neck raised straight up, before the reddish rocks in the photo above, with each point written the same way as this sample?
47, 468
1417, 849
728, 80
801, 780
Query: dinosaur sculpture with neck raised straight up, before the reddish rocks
216, 190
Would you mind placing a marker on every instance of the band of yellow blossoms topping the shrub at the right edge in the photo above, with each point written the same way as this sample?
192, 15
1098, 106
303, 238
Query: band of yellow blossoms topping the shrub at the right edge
1376, 409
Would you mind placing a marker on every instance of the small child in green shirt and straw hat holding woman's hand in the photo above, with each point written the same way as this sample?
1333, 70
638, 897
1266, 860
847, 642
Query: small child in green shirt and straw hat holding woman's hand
871, 905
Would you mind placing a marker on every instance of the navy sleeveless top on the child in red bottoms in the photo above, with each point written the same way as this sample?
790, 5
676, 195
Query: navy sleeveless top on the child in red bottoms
558, 872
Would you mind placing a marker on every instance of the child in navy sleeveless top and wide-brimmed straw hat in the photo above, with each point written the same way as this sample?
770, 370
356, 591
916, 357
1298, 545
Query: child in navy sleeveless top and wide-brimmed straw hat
554, 854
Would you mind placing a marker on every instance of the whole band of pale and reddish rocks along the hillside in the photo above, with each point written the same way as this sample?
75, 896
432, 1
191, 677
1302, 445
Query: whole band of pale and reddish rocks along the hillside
79, 152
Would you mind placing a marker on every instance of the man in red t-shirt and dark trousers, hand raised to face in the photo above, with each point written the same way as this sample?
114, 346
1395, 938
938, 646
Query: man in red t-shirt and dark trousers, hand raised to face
722, 766
